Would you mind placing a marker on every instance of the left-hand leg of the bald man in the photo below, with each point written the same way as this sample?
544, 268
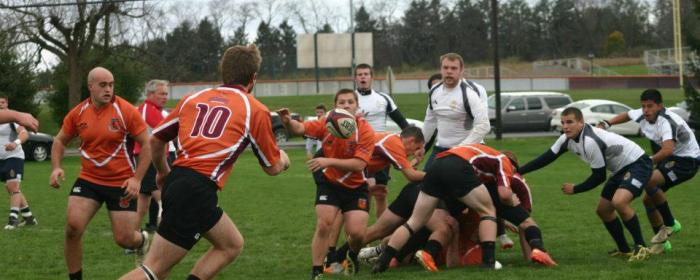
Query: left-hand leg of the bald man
78, 214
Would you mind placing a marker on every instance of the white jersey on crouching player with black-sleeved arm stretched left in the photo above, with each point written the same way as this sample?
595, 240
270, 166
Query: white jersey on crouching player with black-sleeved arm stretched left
600, 148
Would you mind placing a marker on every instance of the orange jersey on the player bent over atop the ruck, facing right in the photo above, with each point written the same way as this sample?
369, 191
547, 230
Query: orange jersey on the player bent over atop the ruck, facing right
491, 165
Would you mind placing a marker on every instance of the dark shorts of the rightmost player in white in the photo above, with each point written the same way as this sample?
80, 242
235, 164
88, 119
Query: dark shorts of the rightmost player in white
677, 170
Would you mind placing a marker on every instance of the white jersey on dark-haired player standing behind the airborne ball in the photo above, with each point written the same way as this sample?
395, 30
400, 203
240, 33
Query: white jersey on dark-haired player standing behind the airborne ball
376, 107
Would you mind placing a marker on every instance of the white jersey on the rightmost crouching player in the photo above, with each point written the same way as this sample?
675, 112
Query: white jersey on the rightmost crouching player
668, 126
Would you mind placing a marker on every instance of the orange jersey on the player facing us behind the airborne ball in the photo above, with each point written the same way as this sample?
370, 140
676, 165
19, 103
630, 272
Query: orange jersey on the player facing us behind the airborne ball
360, 145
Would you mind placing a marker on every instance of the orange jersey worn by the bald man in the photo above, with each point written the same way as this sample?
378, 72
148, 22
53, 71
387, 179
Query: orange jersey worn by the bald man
106, 140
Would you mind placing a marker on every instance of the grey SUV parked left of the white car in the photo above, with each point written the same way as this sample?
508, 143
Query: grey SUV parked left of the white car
527, 110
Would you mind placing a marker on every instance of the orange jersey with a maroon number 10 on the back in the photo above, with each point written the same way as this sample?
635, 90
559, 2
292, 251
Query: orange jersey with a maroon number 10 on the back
214, 126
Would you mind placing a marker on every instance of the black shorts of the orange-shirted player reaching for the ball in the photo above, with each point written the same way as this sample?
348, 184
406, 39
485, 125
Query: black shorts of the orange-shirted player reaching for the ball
346, 199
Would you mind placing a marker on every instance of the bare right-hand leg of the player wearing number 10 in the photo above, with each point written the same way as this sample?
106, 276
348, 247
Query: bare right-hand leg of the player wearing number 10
227, 243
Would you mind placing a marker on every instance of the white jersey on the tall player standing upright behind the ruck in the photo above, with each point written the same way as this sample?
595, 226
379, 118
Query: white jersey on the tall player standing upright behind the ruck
448, 114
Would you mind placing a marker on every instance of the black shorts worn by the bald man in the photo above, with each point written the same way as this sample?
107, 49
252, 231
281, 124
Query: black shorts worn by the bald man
113, 197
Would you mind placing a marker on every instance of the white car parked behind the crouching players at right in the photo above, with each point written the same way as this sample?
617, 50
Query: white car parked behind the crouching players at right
596, 110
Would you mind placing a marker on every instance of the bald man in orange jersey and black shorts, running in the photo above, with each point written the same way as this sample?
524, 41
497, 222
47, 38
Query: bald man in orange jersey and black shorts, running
107, 126
